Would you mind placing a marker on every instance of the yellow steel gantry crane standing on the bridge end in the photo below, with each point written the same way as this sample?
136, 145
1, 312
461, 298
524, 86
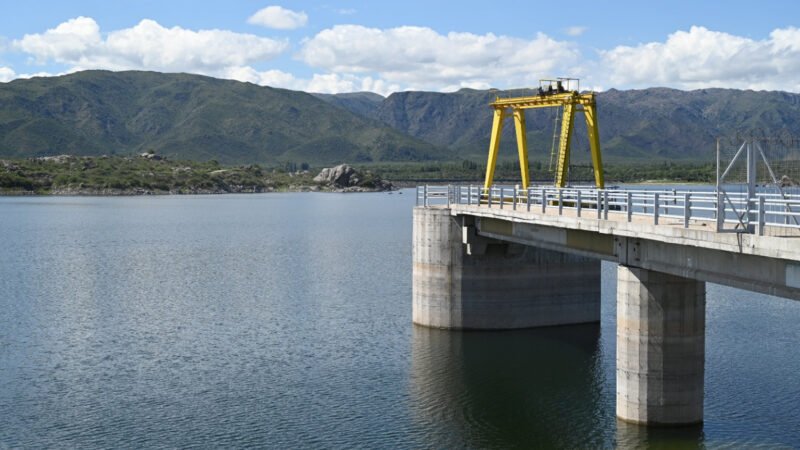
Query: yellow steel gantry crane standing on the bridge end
560, 93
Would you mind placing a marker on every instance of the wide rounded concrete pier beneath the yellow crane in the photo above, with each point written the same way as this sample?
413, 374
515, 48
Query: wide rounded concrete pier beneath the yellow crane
499, 285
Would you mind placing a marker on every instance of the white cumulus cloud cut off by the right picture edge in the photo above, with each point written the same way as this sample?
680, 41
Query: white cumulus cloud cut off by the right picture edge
701, 58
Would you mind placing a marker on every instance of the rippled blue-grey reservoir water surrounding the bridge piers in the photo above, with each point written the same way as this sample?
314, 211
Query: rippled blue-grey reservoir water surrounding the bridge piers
284, 320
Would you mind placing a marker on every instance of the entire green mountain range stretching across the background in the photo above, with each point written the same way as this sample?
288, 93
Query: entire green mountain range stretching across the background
195, 117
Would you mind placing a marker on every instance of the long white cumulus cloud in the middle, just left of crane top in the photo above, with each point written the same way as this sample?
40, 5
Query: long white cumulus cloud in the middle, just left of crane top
421, 58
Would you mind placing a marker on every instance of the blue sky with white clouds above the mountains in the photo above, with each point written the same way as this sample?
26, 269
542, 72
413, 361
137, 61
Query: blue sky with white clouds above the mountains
385, 47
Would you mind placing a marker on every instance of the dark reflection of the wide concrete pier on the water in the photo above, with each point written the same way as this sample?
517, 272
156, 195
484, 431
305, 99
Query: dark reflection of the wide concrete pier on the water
510, 389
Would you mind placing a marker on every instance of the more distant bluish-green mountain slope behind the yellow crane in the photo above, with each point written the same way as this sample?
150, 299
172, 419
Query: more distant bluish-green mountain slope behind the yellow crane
639, 124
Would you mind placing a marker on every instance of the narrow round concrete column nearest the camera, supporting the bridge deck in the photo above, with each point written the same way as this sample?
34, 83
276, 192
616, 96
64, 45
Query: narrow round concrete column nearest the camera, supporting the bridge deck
660, 347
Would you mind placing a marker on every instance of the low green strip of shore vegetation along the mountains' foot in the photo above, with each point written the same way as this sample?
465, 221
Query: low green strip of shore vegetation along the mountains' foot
150, 174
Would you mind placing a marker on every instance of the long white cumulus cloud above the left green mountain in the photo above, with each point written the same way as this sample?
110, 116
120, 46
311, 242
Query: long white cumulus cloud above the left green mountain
148, 45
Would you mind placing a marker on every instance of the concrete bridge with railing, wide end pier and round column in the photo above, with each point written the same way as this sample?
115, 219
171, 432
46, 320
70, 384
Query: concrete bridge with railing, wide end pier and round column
508, 258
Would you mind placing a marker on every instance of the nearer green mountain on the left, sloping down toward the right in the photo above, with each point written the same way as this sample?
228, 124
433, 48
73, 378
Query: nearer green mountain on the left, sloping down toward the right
189, 117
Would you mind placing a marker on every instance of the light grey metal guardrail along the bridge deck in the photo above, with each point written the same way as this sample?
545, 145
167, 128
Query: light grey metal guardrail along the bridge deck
747, 215
